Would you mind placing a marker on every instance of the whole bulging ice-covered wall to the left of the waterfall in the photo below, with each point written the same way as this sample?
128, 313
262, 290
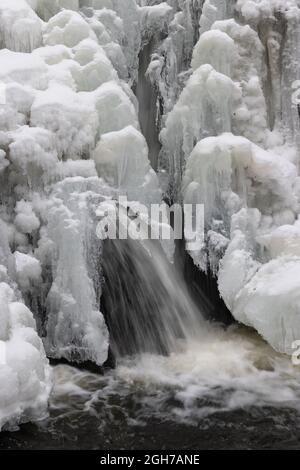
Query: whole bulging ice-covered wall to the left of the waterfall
68, 119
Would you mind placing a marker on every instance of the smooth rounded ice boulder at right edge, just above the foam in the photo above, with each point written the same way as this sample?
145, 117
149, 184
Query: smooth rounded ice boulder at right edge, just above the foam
270, 302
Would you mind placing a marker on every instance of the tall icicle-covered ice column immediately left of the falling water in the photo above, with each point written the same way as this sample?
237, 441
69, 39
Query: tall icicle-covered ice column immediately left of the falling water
71, 251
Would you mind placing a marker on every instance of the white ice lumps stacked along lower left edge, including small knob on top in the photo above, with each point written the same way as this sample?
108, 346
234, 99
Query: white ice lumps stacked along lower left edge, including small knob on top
24, 370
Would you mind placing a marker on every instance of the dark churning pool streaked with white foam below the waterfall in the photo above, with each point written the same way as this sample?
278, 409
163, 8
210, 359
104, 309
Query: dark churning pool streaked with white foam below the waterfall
215, 393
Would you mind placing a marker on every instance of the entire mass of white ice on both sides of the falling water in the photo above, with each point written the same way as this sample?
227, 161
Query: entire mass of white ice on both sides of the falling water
91, 93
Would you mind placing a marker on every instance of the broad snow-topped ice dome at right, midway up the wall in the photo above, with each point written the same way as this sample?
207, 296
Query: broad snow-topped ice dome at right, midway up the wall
232, 173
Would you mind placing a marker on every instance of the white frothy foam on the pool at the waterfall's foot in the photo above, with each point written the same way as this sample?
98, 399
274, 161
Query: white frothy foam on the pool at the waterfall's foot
229, 370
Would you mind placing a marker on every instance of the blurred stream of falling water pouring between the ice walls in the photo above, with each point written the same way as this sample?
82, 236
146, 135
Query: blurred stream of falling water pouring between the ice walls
145, 301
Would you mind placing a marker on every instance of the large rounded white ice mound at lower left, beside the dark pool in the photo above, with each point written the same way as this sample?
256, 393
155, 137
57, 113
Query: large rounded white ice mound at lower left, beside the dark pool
24, 370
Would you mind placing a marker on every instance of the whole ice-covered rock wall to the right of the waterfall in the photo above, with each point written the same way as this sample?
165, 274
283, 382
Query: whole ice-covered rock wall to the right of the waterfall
231, 142
